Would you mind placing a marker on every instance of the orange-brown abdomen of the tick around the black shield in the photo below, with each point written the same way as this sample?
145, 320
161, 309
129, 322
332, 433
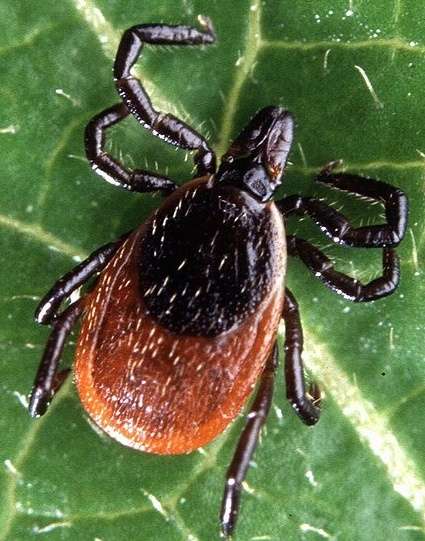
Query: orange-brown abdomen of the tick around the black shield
157, 390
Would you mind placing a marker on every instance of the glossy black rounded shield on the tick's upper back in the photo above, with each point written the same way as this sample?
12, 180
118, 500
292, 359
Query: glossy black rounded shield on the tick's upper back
207, 260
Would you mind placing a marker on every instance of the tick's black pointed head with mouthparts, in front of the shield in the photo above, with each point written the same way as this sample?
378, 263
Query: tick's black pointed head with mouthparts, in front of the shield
256, 160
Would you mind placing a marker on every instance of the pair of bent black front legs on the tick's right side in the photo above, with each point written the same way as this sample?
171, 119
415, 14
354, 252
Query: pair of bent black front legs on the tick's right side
337, 227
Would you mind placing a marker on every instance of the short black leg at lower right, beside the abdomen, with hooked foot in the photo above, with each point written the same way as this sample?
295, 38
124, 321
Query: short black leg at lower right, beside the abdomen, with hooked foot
306, 409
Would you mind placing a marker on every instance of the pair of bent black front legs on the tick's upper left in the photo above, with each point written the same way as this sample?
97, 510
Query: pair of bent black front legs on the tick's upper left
137, 102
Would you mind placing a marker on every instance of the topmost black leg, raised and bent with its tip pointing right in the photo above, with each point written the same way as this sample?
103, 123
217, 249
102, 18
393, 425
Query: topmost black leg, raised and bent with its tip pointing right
165, 126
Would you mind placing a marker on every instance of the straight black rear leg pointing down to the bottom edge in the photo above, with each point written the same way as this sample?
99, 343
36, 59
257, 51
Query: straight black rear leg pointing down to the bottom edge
246, 447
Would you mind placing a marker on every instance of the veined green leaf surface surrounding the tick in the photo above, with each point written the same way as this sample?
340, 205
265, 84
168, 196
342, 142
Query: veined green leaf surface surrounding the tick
353, 73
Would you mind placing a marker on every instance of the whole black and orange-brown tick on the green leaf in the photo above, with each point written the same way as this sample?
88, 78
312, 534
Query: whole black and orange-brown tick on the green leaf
181, 324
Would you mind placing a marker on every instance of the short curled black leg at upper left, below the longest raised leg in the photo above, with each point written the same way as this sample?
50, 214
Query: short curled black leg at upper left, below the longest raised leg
111, 170
